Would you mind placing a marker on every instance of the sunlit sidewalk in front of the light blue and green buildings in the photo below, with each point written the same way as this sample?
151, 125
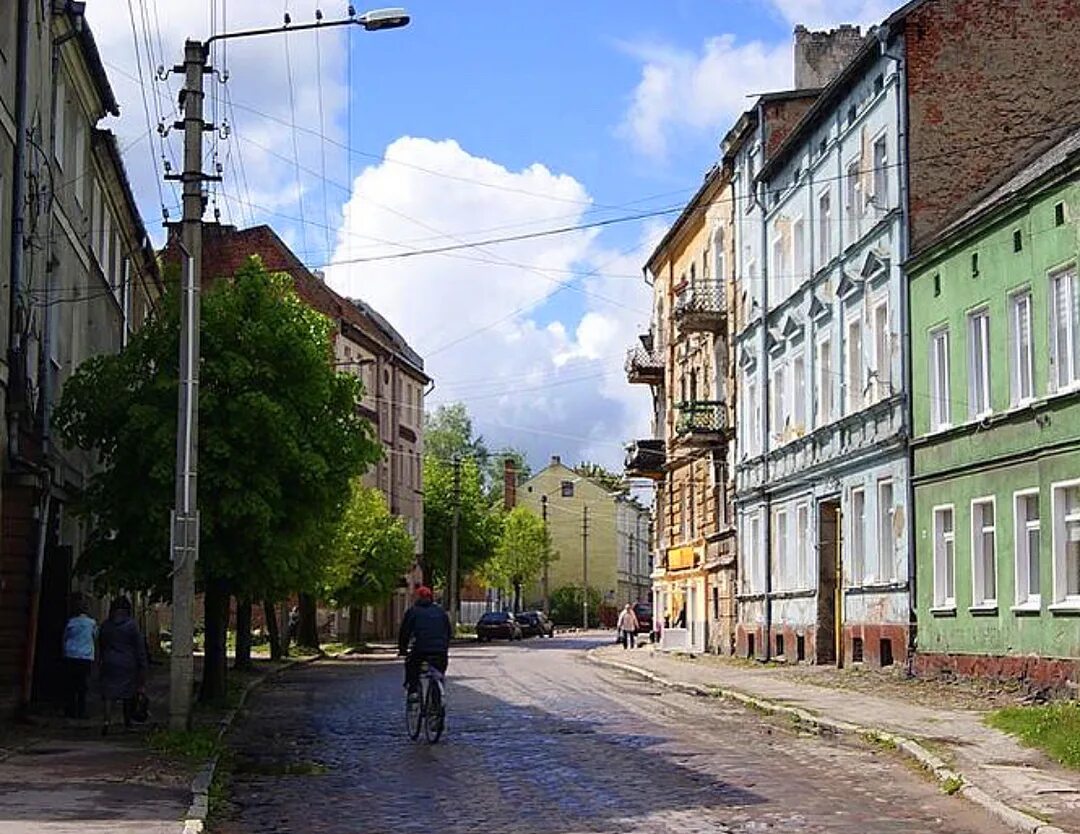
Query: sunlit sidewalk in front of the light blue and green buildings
995, 769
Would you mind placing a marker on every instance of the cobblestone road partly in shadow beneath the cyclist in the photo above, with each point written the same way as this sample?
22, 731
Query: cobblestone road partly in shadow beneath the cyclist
541, 742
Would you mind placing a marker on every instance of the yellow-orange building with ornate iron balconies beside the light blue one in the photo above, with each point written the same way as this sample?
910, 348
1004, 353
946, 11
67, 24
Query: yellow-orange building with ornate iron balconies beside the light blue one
686, 361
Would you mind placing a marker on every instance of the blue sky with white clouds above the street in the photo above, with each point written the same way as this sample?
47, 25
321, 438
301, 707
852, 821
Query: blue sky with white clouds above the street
479, 122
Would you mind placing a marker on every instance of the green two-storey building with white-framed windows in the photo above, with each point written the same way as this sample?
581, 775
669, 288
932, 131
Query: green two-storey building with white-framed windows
996, 381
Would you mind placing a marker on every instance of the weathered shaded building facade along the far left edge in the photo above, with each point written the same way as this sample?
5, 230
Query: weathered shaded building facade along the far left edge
78, 277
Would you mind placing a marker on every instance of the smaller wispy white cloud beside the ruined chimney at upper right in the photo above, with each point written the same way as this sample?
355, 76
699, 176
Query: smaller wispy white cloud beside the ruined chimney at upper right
682, 91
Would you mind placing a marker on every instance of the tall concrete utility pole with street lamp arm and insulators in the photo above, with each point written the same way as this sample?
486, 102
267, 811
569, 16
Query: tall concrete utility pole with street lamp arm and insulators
185, 518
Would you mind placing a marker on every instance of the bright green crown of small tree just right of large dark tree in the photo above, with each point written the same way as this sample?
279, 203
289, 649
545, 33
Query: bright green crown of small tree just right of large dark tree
372, 551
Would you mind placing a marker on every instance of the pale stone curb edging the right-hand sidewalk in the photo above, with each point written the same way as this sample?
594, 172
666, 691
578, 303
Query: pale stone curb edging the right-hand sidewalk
1010, 817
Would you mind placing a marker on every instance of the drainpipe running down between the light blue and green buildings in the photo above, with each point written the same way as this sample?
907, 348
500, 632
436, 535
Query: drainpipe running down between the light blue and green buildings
906, 330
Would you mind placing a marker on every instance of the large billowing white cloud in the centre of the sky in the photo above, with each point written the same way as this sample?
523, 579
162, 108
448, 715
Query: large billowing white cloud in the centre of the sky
556, 387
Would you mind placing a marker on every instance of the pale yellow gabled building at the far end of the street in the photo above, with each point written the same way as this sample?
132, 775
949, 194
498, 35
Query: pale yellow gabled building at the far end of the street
601, 539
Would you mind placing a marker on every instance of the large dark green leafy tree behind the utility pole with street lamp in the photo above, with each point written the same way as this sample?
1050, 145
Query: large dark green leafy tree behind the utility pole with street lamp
281, 440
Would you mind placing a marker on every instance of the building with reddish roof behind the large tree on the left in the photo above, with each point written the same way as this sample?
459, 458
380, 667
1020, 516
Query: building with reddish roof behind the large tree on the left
395, 383
